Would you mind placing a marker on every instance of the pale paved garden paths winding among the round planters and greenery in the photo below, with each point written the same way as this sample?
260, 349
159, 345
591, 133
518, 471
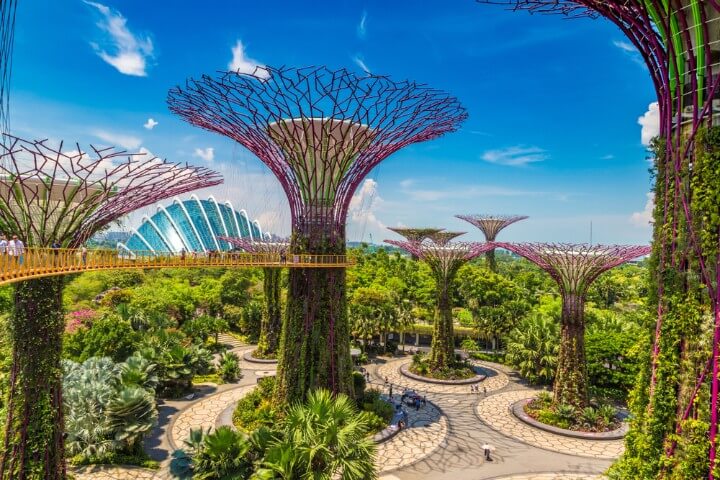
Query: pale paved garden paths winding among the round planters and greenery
444, 440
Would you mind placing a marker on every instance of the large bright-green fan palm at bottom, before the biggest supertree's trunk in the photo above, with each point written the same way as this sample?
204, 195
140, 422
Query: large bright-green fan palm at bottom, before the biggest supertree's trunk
323, 439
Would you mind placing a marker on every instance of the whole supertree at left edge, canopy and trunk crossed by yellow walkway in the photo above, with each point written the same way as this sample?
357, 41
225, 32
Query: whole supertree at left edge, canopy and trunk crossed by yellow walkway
53, 196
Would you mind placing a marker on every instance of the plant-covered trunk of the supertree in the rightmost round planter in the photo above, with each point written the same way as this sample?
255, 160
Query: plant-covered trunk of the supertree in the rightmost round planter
571, 376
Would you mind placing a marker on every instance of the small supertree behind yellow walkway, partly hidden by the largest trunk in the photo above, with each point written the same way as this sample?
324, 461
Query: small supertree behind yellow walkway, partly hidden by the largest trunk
272, 316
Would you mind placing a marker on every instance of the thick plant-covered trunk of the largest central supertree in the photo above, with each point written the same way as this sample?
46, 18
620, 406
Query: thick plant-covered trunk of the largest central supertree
315, 340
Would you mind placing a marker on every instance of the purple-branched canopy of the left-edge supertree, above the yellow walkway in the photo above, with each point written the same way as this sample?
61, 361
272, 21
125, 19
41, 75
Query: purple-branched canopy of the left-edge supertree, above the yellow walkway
48, 194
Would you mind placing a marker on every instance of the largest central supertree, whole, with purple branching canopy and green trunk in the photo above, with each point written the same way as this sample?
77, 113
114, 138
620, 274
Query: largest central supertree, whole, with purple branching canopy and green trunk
320, 132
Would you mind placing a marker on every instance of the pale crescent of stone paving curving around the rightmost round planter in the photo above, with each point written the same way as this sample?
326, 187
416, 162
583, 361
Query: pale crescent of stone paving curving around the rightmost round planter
495, 411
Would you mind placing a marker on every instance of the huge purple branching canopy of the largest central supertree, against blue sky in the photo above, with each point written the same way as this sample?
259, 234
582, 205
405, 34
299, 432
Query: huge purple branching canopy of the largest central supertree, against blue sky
319, 131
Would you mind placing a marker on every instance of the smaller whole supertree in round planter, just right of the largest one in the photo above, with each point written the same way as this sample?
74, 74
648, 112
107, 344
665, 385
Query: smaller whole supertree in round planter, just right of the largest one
444, 258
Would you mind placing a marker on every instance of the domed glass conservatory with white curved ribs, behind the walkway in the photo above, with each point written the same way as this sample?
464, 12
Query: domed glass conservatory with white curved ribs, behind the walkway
192, 225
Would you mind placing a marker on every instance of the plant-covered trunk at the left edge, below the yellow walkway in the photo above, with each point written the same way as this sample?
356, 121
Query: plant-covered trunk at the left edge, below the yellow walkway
33, 445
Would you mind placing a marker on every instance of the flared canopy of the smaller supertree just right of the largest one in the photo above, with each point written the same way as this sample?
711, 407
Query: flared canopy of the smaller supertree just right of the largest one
443, 259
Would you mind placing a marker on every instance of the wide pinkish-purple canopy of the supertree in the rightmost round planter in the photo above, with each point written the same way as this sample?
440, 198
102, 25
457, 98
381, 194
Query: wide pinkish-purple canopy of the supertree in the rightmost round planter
575, 266
